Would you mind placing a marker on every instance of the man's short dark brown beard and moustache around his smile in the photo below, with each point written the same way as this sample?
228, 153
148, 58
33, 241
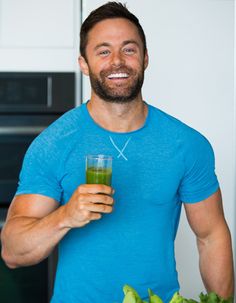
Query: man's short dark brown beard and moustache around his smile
120, 93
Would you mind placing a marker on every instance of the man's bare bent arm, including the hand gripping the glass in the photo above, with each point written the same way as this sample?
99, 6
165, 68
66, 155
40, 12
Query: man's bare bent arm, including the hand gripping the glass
35, 223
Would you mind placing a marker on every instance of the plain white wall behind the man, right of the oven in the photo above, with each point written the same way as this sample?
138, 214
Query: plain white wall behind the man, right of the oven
191, 76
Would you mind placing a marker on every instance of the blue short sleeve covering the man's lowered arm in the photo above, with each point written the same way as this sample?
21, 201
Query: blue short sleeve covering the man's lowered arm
199, 181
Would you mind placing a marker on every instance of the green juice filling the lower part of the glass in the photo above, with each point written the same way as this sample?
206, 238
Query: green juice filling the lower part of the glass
98, 175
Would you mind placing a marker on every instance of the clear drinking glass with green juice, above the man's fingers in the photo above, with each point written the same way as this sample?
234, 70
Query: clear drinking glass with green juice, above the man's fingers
98, 169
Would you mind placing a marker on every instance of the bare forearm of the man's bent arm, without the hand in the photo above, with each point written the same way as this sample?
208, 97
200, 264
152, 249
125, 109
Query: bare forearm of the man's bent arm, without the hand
27, 241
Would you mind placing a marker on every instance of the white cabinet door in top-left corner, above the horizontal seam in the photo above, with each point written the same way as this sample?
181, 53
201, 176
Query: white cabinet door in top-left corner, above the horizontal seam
33, 23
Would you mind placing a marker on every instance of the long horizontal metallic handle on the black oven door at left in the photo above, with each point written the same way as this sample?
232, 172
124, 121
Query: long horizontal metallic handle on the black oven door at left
21, 130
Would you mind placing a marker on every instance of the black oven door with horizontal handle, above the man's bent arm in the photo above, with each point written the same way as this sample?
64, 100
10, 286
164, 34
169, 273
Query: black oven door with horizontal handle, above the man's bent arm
16, 134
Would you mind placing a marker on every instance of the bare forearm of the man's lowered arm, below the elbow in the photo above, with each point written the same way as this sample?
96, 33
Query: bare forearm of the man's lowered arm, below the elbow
216, 263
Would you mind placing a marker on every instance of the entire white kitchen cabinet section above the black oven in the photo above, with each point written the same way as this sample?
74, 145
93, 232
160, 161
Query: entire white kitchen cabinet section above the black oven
39, 35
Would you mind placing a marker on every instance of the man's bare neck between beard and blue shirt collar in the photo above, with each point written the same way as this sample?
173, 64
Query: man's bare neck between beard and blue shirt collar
118, 117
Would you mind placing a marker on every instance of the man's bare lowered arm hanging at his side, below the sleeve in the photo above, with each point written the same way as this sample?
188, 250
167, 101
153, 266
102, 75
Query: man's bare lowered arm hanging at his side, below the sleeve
207, 221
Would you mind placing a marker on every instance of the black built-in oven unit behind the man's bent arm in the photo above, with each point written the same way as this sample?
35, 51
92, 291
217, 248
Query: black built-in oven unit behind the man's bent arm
29, 102
